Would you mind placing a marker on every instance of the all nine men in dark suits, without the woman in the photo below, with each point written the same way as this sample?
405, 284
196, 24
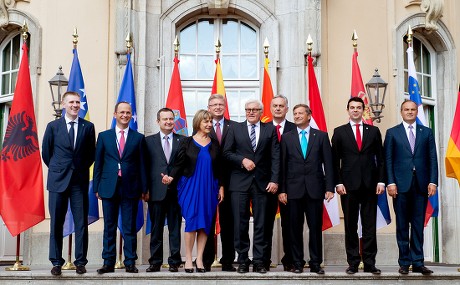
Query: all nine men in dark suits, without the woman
292, 163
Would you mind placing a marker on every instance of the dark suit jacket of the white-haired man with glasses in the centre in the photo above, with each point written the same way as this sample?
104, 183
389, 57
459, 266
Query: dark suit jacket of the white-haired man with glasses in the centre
266, 157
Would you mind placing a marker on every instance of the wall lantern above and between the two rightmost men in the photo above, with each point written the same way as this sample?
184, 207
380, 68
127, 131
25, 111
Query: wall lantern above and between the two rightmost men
376, 90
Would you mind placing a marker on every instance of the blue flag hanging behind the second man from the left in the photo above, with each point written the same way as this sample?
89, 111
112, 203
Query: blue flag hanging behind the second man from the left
127, 94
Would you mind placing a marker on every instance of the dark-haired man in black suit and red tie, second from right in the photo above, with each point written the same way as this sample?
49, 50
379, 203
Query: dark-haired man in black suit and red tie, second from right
359, 175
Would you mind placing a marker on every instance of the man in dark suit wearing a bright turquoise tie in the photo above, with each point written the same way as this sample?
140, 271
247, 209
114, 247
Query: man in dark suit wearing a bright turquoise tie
307, 178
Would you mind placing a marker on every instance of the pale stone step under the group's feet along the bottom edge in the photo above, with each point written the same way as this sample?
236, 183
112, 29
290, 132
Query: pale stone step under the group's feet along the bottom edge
334, 275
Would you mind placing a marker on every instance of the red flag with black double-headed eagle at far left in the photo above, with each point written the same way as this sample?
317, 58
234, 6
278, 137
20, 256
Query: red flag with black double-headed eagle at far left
21, 178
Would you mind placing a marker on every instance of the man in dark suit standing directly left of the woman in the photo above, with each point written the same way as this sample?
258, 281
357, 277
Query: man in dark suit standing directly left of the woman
161, 149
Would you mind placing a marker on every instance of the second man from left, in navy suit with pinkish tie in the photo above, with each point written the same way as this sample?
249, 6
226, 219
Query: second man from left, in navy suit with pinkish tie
120, 181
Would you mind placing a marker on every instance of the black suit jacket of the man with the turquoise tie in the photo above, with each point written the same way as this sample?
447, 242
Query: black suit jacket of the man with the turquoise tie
314, 174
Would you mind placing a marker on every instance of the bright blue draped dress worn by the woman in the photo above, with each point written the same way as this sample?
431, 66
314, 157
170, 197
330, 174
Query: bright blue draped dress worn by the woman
198, 193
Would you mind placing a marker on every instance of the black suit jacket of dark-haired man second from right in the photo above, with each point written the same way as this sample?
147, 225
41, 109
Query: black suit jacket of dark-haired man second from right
354, 167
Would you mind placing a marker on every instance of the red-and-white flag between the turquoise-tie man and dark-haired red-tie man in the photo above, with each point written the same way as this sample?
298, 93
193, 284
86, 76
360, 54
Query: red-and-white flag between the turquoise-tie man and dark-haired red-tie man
331, 216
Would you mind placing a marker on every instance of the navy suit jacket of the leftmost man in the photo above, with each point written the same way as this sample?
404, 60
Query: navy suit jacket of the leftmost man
62, 160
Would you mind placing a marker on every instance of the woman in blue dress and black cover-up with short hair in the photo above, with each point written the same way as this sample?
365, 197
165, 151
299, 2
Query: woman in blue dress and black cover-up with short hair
196, 171
